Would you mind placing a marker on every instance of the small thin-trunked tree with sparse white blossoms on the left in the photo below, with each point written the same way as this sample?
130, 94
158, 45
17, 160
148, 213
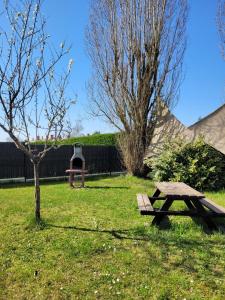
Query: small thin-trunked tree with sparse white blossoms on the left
32, 93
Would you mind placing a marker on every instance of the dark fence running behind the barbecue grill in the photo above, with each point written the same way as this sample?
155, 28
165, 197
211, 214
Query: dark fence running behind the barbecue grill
99, 159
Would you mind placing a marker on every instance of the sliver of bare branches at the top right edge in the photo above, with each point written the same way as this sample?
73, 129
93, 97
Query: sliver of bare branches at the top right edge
221, 25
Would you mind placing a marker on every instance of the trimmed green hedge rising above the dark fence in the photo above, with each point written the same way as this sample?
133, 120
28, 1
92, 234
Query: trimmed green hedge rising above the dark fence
106, 139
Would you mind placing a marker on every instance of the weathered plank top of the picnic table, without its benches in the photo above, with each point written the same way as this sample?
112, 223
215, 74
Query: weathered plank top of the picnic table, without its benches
178, 190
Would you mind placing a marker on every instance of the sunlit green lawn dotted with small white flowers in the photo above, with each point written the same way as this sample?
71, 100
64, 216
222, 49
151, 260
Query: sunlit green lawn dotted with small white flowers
93, 244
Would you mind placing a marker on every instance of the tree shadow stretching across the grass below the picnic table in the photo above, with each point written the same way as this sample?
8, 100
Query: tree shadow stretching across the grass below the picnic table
180, 246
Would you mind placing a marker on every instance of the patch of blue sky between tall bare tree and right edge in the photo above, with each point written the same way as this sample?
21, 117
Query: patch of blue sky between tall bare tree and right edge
203, 88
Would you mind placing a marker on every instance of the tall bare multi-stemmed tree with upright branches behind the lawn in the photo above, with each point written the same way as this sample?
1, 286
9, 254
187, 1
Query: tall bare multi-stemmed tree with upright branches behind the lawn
136, 48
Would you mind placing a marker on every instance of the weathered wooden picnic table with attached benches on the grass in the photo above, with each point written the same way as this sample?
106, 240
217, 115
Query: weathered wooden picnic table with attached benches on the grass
197, 204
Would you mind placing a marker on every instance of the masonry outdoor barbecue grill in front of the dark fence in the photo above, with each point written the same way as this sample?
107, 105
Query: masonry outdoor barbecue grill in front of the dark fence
77, 165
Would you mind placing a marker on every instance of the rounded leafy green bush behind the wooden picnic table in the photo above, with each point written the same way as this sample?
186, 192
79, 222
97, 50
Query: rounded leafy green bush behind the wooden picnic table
197, 164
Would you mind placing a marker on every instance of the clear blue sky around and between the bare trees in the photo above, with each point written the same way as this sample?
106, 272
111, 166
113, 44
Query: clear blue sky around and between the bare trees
203, 88
